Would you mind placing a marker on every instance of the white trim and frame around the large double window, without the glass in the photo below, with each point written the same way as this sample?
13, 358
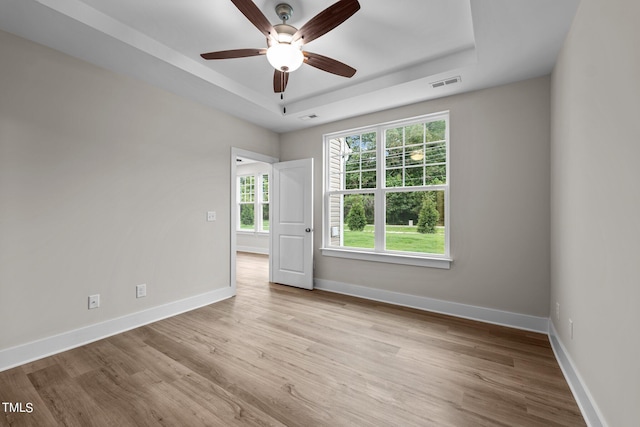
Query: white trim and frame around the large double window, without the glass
404, 258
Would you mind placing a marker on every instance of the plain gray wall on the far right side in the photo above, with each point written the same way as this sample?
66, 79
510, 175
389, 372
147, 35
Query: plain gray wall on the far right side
595, 206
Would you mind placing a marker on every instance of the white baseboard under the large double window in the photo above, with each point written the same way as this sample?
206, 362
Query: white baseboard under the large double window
487, 315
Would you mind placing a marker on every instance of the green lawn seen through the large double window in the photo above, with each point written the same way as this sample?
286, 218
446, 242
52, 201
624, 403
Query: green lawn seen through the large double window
399, 238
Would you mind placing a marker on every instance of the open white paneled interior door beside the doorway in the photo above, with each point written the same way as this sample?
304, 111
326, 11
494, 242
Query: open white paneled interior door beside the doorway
291, 223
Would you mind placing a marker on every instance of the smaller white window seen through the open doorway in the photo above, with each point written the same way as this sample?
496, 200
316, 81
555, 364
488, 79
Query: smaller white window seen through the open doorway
253, 203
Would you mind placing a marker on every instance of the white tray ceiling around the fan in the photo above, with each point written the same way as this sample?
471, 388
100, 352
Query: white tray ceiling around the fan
398, 47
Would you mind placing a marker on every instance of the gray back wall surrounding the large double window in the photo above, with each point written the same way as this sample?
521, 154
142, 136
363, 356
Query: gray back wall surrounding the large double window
499, 201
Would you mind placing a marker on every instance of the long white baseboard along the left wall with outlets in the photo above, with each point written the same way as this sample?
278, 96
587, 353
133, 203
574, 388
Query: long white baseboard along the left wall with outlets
24, 353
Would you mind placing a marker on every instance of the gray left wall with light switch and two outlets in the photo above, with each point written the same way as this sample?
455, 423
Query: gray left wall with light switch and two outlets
104, 184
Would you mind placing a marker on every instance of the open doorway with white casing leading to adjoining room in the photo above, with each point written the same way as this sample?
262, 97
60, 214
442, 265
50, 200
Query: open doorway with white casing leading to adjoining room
250, 214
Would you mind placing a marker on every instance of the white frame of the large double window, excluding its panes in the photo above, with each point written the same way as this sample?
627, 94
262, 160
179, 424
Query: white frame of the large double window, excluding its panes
379, 253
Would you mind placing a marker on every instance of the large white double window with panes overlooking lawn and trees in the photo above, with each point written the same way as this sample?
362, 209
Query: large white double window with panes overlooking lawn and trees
387, 192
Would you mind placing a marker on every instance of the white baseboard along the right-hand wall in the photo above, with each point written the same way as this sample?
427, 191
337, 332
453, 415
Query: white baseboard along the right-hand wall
586, 403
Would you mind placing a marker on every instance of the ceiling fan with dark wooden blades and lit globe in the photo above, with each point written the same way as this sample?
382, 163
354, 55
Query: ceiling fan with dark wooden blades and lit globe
284, 42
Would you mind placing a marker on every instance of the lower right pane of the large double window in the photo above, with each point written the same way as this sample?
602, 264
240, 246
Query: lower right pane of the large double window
415, 222
